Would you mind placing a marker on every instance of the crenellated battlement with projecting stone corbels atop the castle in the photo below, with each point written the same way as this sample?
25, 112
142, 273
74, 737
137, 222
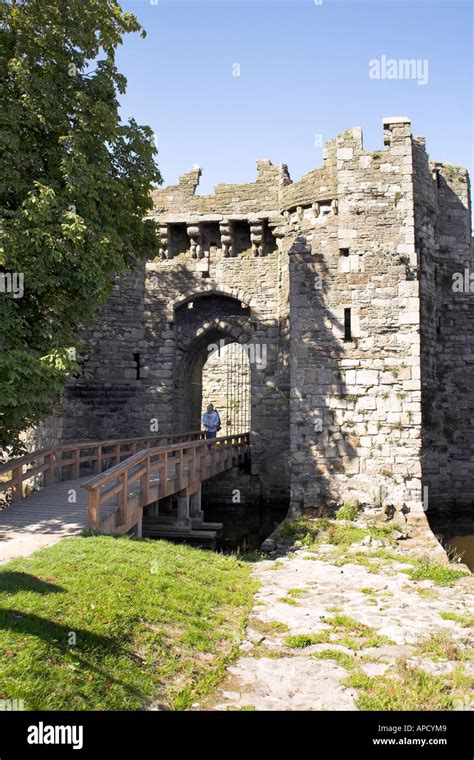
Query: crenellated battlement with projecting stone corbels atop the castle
395, 174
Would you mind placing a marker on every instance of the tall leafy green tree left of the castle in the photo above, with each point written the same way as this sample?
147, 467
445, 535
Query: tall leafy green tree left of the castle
74, 189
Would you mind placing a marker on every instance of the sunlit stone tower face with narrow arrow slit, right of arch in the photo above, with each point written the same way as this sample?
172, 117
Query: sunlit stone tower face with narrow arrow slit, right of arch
356, 402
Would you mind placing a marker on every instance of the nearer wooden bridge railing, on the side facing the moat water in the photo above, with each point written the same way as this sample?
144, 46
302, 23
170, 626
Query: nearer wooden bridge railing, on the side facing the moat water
120, 476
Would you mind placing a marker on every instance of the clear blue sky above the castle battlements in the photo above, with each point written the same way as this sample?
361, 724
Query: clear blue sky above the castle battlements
304, 71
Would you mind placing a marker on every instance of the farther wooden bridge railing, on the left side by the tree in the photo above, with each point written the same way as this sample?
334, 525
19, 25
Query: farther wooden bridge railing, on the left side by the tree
51, 462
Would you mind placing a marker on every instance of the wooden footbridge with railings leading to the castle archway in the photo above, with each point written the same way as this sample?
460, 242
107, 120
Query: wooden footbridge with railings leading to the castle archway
149, 485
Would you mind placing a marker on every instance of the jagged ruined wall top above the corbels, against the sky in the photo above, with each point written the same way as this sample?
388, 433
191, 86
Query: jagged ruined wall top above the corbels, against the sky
274, 192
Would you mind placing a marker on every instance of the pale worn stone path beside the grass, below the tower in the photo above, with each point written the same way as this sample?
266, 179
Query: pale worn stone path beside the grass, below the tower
299, 595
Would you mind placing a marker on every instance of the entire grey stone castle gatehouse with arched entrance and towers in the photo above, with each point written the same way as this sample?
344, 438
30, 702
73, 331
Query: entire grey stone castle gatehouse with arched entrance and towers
338, 285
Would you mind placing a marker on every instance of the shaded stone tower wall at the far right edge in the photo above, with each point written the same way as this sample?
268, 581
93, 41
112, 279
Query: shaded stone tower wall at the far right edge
444, 243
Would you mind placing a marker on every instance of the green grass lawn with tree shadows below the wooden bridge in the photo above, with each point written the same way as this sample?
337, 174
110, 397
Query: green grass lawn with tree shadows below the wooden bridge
113, 624
